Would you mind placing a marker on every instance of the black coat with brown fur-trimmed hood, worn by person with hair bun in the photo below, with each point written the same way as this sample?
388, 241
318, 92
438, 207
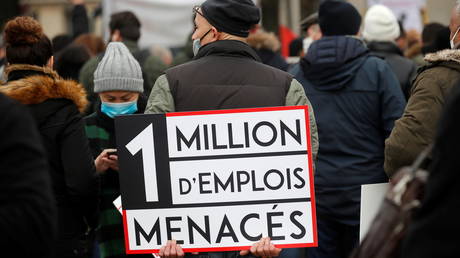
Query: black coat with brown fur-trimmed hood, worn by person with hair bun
56, 105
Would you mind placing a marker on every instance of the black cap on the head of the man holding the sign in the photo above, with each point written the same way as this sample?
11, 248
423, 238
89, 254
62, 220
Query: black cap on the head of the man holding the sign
235, 17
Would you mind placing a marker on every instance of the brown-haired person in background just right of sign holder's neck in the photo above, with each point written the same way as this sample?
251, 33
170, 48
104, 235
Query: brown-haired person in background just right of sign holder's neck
267, 46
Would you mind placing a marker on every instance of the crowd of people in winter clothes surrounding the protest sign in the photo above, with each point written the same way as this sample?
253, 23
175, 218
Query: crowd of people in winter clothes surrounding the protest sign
376, 100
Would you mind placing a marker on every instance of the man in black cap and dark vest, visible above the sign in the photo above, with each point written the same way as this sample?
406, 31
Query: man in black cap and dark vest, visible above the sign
226, 73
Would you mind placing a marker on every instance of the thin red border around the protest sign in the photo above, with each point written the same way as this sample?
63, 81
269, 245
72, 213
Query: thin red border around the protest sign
310, 164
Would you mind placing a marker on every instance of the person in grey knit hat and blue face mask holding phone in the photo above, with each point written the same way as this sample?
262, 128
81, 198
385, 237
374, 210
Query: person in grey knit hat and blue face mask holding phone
119, 84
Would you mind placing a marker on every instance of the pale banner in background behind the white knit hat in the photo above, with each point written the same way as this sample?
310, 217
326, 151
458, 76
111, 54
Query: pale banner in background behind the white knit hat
407, 10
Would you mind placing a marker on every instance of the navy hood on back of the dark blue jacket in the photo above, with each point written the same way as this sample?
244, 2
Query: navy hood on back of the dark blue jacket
332, 62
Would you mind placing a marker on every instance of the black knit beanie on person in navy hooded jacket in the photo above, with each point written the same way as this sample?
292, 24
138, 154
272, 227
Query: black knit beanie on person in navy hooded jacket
338, 18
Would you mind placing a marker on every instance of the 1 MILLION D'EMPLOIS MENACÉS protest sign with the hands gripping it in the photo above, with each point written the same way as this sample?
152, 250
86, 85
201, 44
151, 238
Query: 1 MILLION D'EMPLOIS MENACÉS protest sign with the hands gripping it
217, 181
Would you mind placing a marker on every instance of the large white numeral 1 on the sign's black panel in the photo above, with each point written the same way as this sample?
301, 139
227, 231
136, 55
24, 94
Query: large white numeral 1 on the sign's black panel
144, 141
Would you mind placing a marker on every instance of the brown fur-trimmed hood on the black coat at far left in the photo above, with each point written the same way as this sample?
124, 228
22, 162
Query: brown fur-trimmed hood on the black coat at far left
40, 84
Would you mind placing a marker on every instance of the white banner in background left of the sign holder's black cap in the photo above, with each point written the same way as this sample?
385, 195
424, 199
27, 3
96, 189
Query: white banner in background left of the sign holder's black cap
164, 22
